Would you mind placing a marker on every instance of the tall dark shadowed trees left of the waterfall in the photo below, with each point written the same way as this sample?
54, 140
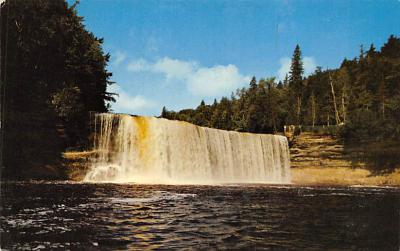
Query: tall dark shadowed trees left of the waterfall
54, 74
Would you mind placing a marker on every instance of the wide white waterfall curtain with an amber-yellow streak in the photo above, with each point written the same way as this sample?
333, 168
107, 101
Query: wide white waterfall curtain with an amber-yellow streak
152, 150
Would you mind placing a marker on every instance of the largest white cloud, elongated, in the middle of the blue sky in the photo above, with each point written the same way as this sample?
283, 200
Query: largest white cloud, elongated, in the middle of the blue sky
200, 81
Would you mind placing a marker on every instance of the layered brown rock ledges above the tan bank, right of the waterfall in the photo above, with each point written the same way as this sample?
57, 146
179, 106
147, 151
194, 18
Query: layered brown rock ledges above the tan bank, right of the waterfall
324, 151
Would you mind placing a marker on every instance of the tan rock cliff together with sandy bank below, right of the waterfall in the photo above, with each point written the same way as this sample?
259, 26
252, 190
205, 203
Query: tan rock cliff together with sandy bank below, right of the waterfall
320, 159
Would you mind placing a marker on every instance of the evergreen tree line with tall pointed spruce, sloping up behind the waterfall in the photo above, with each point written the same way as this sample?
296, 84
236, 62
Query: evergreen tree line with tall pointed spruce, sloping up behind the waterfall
362, 95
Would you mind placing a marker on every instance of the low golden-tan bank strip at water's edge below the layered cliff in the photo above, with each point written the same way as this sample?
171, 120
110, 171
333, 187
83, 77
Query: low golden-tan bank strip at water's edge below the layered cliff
343, 176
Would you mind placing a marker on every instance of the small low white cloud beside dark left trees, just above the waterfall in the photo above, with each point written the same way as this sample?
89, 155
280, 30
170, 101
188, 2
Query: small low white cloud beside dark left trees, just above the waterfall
127, 103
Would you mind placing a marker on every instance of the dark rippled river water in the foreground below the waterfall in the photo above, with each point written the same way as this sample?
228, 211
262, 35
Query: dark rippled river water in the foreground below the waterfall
250, 217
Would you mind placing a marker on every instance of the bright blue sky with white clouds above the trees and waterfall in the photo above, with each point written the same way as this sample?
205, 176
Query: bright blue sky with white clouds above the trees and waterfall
176, 53
